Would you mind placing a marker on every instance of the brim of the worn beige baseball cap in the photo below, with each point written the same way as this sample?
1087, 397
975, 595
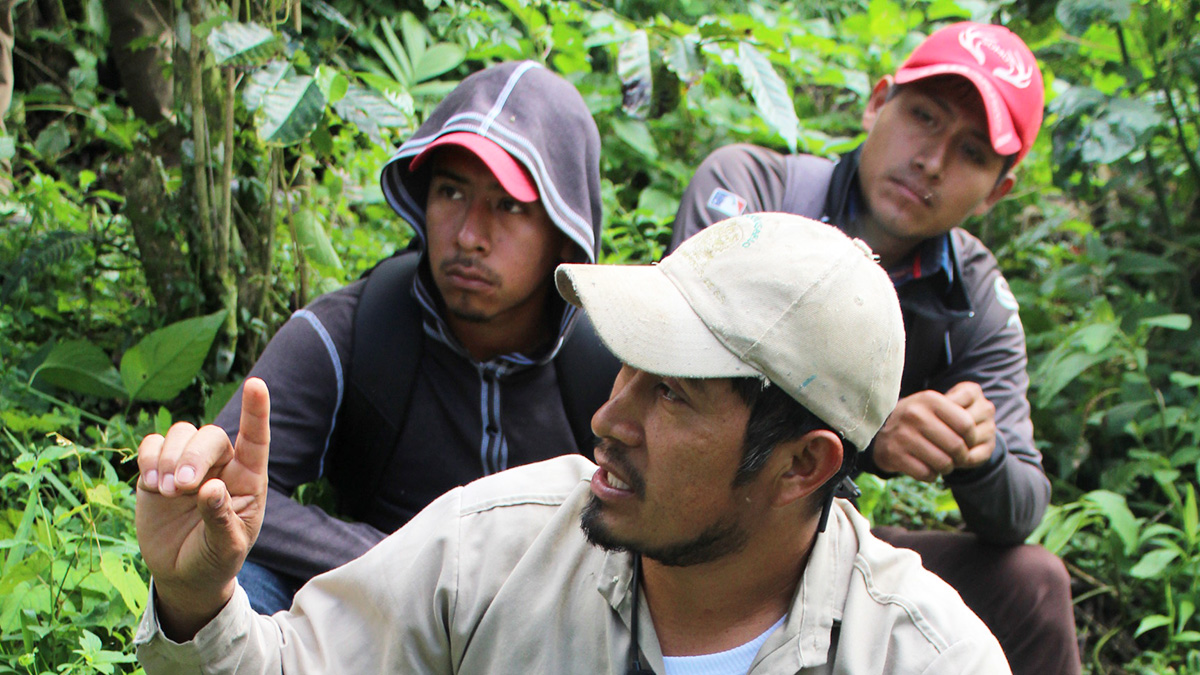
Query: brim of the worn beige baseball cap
644, 319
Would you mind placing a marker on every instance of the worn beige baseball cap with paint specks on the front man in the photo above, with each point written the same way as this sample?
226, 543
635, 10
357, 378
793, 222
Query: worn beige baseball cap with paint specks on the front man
775, 296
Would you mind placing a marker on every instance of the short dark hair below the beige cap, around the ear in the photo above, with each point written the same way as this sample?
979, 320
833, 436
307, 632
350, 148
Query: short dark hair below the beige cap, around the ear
776, 417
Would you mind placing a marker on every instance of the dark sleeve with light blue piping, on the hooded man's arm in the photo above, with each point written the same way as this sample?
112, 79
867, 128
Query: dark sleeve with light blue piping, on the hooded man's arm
304, 367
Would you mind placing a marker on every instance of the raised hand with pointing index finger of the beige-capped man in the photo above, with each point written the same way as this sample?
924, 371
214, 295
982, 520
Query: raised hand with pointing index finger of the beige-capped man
200, 510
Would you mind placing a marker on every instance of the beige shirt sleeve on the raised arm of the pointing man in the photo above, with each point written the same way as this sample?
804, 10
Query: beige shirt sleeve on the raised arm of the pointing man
387, 612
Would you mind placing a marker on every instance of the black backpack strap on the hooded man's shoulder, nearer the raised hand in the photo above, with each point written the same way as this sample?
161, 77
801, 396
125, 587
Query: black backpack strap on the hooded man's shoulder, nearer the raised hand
387, 350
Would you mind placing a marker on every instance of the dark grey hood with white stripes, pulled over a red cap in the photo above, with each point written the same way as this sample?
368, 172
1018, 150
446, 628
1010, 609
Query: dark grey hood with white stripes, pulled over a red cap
537, 117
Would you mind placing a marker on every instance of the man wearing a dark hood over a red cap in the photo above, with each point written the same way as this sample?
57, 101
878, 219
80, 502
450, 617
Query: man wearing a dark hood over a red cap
501, 184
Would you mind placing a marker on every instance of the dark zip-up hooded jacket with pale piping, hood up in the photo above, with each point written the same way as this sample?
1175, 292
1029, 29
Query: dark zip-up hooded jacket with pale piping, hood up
466, 419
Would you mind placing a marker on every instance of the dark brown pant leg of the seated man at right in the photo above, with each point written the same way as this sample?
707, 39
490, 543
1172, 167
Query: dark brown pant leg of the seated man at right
1023, 594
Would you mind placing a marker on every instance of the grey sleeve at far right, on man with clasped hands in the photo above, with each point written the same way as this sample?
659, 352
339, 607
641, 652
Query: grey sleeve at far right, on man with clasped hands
1004, 500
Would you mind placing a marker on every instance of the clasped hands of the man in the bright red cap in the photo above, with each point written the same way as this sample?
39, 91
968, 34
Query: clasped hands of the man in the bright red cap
931, 434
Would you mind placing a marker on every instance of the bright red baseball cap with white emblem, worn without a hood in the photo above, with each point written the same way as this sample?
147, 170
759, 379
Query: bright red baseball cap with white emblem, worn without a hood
1000, 65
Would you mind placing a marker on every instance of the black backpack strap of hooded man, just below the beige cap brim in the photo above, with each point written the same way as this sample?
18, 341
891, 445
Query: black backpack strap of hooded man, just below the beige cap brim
586, 371
